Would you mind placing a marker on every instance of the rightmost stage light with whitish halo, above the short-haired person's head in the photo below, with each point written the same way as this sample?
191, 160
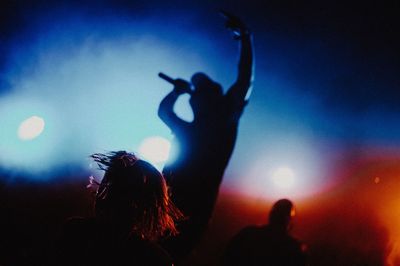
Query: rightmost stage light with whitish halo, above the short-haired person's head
290, 168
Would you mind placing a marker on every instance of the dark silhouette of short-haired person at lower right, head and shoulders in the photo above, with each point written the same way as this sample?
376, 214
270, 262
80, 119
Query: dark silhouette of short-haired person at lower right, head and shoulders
269, 244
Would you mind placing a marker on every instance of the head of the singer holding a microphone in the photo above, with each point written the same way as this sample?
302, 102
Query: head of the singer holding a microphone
206, 96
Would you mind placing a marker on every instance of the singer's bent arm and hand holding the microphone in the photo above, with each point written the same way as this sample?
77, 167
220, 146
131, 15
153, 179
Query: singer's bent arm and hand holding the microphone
166, 108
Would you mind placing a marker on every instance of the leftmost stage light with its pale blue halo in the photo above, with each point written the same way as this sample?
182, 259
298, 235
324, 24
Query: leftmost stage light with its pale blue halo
29, 142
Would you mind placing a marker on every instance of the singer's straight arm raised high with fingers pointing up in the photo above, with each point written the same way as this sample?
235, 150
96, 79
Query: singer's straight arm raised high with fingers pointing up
241, 89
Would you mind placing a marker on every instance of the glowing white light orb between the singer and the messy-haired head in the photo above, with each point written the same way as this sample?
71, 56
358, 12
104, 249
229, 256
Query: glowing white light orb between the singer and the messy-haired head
155, 149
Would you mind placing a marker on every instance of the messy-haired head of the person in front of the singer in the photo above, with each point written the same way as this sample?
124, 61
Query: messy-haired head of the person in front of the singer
134, 195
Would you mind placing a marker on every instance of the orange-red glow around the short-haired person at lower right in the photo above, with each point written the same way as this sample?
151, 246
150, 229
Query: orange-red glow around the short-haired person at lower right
360, 211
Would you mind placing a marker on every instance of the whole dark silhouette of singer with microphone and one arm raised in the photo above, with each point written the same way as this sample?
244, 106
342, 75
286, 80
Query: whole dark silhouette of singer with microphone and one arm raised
205, 144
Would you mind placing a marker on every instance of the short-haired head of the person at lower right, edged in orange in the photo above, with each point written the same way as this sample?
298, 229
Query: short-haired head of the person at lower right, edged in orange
281, 214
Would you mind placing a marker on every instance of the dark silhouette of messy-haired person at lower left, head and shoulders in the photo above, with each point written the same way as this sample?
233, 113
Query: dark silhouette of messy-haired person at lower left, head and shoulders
133, 211
